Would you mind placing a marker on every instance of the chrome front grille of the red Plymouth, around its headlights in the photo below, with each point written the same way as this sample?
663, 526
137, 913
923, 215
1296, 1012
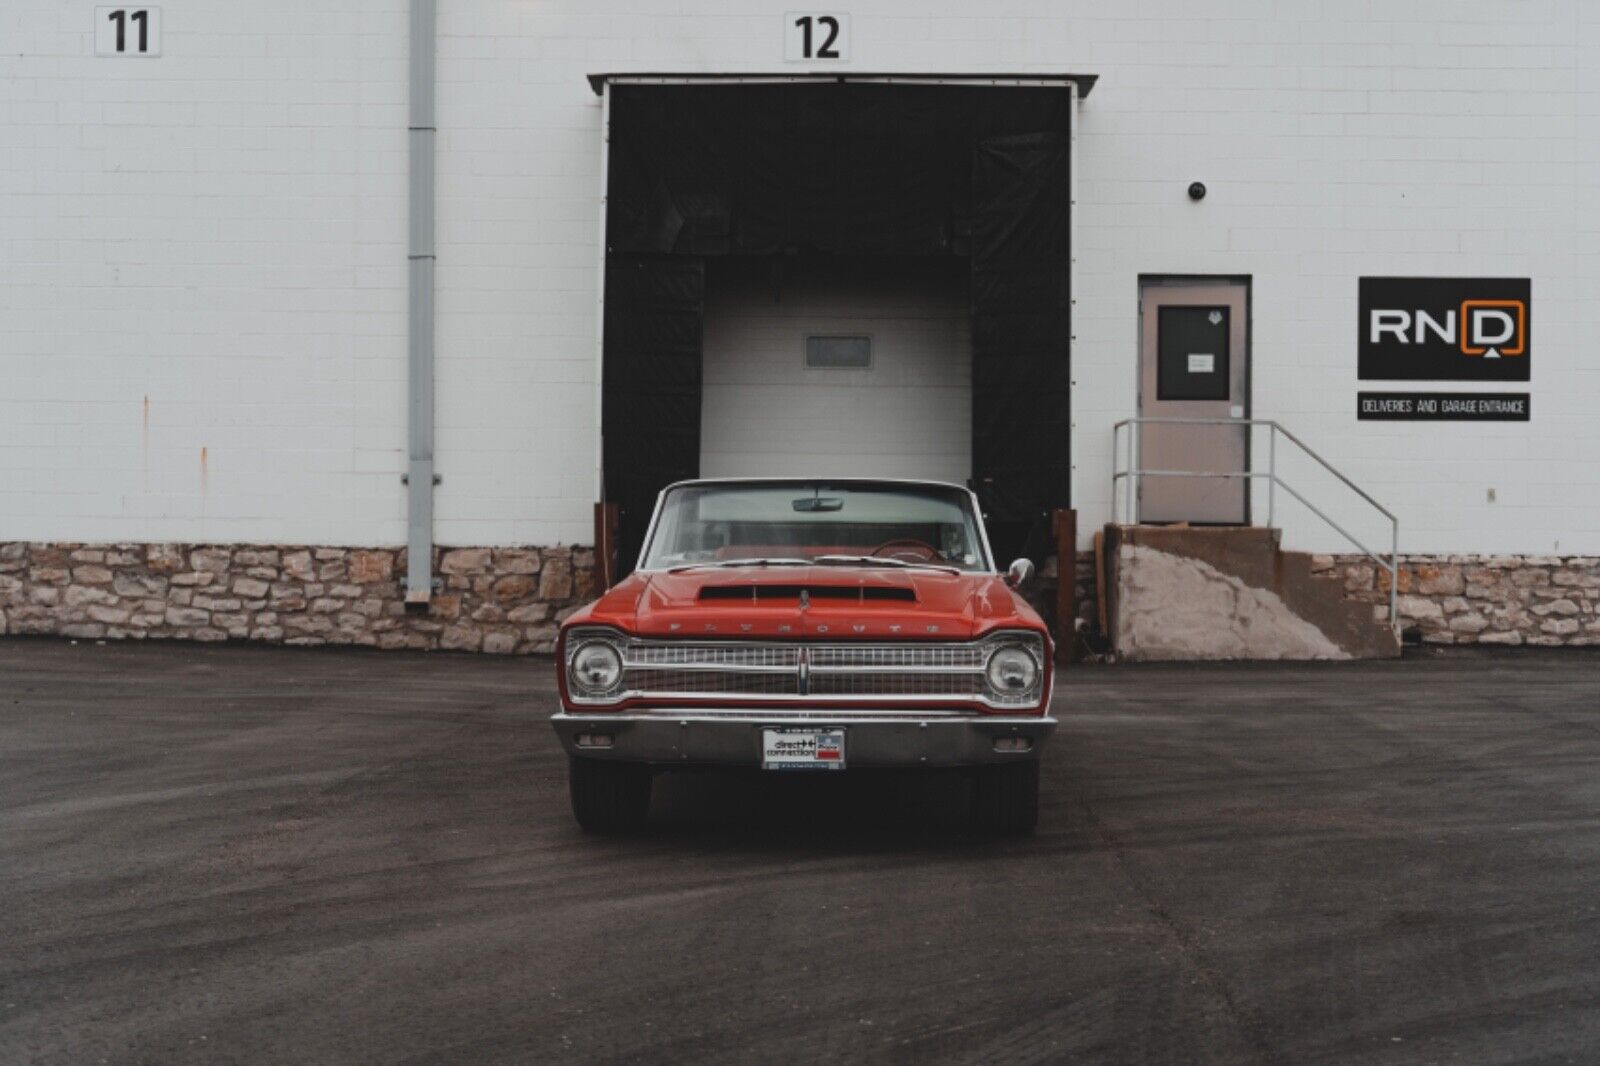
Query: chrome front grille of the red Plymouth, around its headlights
822, 673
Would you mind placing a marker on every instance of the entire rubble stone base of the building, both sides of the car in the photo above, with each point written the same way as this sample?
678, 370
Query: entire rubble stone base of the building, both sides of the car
510, 599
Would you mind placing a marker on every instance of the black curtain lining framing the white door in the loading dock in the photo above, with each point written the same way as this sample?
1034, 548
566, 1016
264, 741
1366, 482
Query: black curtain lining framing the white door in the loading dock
842, 170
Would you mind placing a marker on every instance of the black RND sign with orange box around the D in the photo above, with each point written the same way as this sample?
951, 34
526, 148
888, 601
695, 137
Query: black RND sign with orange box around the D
1446, 329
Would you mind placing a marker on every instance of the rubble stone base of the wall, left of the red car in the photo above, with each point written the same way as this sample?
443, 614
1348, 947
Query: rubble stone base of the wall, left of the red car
495, 599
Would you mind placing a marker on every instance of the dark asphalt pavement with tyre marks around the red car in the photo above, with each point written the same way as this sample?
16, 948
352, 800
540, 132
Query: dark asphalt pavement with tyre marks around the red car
231, 854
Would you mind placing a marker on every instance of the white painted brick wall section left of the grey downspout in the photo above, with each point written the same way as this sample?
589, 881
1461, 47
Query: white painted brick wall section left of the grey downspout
202, 273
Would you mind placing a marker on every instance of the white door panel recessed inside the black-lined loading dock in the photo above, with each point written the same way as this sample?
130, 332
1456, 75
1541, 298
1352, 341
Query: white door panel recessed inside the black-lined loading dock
908, 415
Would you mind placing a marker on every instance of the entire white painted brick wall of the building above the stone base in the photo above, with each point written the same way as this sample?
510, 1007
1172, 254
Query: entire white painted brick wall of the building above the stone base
218, 234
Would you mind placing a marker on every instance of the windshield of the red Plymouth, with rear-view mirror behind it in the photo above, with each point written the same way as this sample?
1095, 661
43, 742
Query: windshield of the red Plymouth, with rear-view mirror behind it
826, 523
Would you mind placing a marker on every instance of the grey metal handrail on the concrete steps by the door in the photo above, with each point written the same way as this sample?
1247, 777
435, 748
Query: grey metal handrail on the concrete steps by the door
1134, 475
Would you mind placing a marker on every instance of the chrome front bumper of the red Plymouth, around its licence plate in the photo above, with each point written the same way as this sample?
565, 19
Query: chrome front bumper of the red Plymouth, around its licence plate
900, 739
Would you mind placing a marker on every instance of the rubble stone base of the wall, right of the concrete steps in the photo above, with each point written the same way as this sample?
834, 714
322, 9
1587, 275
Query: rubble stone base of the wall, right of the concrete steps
1484, 599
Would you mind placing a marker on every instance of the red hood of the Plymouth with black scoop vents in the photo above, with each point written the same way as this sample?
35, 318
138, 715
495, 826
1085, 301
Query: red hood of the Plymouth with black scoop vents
812, 603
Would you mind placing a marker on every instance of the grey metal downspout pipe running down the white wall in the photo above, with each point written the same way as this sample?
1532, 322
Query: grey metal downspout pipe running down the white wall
420, 326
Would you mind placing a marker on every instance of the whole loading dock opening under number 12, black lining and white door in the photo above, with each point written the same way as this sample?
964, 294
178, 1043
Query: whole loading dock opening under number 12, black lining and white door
769, 238
